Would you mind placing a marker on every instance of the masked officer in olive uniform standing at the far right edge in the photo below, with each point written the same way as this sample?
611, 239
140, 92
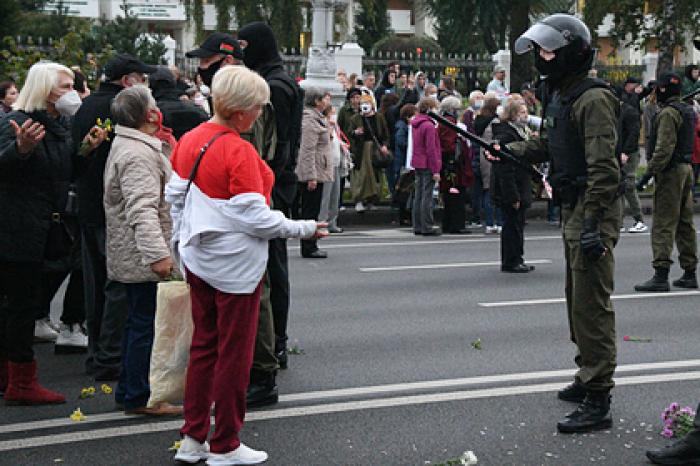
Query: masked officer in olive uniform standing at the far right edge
672, 139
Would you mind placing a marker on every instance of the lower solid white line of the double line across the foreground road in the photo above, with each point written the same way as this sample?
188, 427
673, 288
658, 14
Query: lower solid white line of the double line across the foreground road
393, 402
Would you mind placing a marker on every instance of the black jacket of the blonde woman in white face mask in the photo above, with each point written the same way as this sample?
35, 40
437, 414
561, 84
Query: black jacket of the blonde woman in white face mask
32, 186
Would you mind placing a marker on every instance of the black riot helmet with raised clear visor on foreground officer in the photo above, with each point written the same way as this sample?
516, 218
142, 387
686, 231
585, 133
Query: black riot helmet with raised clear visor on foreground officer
565, 35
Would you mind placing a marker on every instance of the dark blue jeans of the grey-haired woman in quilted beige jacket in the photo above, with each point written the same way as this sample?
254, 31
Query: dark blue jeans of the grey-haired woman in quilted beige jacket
133, 389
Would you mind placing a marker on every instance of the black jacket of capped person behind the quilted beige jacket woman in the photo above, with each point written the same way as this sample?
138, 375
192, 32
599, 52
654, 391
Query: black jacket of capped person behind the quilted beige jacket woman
89, 170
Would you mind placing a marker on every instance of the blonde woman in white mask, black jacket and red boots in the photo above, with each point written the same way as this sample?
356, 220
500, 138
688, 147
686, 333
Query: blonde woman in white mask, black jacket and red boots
35, 171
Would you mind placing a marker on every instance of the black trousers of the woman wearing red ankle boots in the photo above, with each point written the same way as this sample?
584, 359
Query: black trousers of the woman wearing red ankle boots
20, 287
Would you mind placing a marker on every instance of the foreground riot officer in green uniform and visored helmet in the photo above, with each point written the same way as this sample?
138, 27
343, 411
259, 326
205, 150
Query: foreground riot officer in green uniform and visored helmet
579, 138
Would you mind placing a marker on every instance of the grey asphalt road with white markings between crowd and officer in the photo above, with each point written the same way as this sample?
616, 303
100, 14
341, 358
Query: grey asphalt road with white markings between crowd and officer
389, 376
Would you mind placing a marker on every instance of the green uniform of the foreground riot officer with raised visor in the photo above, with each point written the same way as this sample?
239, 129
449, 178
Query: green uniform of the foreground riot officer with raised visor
589, 283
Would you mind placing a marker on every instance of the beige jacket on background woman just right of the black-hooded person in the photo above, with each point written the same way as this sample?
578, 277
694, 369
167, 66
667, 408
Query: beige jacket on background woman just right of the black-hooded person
314, 161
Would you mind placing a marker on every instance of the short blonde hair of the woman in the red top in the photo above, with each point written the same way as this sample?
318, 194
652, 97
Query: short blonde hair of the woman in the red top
236, 88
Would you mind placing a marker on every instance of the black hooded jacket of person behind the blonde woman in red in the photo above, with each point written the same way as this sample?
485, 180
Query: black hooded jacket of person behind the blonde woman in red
261, 55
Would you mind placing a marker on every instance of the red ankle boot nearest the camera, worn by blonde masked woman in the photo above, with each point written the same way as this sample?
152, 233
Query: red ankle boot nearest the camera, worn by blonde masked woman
24, 389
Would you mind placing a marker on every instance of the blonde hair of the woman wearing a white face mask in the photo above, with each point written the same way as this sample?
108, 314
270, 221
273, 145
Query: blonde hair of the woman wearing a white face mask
41, 80
